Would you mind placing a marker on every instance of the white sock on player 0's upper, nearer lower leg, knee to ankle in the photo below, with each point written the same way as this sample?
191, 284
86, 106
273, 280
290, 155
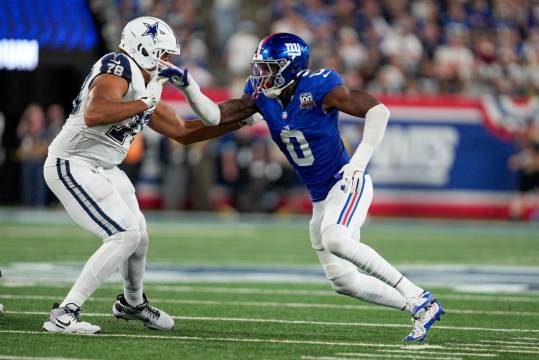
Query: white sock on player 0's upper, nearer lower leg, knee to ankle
338, 241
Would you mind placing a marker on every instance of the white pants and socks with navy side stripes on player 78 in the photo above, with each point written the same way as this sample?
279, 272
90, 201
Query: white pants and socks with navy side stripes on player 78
103, 202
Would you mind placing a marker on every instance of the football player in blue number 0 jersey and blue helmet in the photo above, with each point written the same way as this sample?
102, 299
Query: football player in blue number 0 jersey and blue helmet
301, 108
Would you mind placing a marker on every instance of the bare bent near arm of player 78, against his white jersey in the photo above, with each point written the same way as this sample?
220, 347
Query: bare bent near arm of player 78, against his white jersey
105, 104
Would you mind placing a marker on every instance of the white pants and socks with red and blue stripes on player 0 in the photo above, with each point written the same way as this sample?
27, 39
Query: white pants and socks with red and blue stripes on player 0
335, 232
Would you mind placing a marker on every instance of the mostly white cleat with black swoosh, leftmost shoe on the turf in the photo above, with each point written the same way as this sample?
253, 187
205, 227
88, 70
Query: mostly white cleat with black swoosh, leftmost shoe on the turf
66, 320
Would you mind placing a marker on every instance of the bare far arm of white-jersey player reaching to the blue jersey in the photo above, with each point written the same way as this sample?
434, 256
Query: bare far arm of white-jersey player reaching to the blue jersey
165, 121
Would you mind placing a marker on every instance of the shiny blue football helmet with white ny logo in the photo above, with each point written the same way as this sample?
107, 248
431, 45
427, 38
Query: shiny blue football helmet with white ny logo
277, 62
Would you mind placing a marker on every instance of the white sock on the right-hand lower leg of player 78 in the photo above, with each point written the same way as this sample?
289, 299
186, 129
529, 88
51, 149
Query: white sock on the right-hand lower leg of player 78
132, 271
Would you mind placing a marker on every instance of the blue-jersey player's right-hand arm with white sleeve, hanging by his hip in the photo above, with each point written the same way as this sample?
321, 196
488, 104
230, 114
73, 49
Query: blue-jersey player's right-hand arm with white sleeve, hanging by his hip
361, 104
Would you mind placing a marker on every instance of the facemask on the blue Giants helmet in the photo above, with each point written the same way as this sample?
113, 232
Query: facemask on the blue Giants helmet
266, 77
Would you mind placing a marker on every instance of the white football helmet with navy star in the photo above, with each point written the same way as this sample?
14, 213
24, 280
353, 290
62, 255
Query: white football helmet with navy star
146, 38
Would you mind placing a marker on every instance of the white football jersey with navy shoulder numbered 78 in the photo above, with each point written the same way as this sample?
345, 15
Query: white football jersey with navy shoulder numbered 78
103, 145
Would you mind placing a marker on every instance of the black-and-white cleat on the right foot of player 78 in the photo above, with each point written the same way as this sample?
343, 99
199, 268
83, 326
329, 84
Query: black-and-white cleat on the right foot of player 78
152, 317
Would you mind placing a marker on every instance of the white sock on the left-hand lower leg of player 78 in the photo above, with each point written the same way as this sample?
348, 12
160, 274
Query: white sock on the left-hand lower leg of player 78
114, 251
